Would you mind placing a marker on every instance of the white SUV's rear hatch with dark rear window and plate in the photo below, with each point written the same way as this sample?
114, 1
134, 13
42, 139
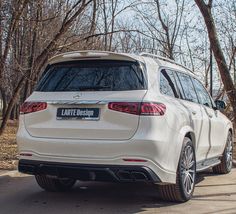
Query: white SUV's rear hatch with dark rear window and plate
77, 96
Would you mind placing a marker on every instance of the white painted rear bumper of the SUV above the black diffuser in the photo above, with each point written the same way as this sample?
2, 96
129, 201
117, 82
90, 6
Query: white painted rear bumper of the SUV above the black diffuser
158, 151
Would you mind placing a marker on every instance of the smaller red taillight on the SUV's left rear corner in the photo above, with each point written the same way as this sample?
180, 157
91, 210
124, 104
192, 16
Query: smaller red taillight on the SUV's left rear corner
29, 107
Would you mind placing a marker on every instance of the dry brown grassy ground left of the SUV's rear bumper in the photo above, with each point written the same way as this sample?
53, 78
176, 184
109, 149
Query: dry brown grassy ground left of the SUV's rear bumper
8, 147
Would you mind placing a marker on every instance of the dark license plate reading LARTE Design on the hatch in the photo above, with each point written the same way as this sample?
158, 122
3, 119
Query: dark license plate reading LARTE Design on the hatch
78, 114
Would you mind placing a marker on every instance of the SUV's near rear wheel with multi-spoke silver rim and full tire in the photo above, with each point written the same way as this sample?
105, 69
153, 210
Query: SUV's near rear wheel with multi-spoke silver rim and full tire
182, 191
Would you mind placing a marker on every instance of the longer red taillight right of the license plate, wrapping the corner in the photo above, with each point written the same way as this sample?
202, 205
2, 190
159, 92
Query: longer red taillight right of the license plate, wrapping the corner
145, 108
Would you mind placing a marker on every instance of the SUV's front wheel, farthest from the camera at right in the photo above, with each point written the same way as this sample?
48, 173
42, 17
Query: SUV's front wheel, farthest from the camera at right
227, 158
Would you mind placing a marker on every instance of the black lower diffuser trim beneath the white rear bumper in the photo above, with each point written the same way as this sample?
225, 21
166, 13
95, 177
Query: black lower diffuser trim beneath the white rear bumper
85, 172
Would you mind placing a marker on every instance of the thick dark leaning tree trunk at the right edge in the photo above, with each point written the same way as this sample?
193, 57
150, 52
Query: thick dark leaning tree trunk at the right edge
218, 53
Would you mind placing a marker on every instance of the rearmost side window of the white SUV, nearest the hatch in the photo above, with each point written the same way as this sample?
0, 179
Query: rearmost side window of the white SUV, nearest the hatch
167, 83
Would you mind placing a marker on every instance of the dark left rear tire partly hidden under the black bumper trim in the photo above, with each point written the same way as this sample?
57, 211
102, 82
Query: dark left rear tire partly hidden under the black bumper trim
54, 184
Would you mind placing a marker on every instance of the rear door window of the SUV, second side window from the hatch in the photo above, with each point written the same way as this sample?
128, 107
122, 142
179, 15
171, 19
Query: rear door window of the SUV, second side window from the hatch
188, 88
